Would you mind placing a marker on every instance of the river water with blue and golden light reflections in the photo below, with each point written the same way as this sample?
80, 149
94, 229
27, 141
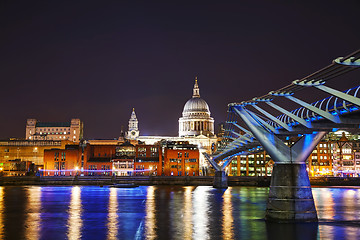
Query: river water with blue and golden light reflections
166, 212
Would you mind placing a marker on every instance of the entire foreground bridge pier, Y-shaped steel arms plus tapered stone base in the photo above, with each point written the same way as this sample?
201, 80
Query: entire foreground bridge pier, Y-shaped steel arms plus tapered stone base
290, 196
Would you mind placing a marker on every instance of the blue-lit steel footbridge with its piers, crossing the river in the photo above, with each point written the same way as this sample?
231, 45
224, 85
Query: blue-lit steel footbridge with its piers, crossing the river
251, 127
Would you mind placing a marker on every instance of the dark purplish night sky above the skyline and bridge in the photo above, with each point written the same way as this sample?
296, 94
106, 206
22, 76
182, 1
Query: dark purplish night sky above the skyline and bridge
96, 60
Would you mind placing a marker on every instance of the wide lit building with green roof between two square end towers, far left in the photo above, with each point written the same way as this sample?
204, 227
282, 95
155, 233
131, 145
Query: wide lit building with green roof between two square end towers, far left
70, 131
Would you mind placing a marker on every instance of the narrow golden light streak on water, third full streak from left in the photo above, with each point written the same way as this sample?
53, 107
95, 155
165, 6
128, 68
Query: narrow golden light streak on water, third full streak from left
112, 215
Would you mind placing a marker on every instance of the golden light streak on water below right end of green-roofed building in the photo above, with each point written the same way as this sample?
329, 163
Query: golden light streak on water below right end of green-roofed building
75, 220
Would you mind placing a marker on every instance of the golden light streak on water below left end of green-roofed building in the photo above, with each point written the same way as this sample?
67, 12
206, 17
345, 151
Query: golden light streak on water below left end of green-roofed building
33, 217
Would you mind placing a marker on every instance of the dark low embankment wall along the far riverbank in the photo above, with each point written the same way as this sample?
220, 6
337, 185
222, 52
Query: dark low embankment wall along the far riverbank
165, 180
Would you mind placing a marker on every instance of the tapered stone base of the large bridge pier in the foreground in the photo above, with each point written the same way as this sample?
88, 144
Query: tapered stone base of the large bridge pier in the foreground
290, 195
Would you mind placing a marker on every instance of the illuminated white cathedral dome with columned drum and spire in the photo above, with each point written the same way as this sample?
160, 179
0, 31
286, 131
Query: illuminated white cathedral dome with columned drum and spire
196, 118
